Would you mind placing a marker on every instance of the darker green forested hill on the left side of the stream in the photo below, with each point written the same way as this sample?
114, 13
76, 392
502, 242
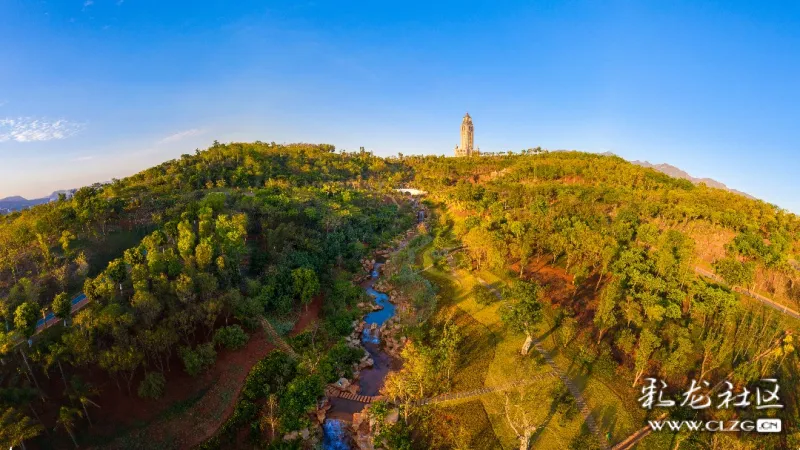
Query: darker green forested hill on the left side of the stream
176, 263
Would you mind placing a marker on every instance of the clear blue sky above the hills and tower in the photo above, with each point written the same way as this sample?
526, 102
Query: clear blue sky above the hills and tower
94, 89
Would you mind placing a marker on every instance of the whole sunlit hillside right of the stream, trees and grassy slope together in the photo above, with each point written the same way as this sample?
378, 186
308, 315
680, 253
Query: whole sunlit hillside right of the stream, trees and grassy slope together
595, 260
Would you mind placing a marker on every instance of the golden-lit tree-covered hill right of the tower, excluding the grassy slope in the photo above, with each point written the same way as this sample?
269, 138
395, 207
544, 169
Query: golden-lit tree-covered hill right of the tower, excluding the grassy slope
631, 242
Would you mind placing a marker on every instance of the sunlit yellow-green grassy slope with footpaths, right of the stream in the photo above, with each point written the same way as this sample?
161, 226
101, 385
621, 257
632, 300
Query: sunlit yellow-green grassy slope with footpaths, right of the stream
491, 357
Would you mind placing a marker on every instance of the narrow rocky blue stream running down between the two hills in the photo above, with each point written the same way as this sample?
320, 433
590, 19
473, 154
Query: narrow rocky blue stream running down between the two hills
336, 428
